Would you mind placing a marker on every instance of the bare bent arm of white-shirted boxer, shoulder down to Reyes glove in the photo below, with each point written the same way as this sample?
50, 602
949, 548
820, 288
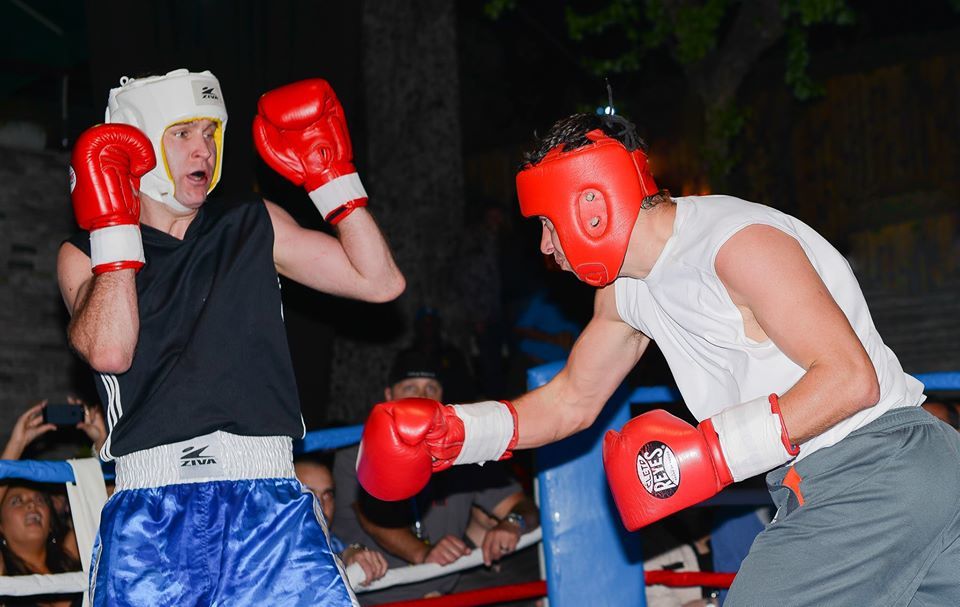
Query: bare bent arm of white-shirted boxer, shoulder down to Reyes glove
768, 274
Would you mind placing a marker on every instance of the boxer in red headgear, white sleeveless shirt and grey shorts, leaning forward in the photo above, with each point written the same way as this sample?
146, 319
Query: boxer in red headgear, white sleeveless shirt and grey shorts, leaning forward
772, 346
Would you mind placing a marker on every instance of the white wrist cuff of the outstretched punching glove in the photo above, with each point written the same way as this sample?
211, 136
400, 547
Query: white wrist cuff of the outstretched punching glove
487, 430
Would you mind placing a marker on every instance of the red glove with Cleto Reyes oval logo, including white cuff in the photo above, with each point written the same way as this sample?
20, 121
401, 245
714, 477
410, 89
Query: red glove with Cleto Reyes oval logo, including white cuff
659, 464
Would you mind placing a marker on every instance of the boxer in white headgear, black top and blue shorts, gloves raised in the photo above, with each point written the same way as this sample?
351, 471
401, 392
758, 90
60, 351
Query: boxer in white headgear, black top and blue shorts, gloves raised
175, 304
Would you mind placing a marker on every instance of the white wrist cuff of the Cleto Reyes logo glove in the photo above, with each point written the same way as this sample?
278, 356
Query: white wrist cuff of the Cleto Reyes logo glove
751, 437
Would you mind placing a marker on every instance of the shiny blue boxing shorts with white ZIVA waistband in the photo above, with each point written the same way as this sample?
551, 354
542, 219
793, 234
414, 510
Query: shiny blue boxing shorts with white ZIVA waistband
216, 520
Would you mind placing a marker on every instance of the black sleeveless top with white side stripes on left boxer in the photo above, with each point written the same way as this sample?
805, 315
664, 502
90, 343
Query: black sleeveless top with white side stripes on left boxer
212, 352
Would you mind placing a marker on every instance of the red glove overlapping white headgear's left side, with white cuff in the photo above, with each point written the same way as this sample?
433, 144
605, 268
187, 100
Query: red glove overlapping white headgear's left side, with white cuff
105, 169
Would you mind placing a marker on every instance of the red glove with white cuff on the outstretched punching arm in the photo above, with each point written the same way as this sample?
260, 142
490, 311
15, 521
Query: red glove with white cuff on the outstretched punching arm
405, 441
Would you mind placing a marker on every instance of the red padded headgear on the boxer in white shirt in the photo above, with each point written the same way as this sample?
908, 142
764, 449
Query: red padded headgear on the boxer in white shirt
592, 195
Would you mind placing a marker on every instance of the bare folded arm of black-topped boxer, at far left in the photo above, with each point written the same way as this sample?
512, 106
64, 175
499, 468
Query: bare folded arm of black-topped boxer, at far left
104, 324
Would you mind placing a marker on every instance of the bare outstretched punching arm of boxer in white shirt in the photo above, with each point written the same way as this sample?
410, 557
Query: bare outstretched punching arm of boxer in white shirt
605, 352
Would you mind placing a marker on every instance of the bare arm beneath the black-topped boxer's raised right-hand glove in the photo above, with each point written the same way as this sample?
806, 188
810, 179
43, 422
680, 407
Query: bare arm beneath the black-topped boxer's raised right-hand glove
357, 264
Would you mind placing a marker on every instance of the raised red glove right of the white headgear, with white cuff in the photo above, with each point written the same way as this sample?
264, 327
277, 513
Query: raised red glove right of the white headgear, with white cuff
301, 133
